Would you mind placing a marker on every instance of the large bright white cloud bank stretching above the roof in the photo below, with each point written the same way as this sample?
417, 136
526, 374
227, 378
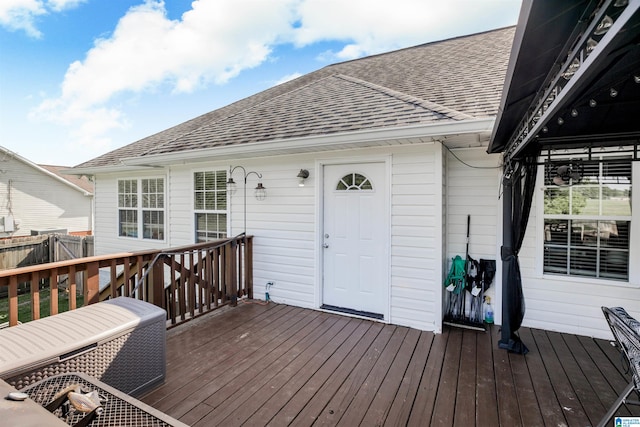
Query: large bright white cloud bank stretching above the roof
217, 39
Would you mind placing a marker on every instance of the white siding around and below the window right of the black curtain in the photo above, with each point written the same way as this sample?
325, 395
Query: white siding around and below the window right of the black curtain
573, 305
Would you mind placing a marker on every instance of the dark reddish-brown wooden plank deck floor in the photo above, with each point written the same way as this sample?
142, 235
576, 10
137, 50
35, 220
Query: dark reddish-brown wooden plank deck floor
280, 365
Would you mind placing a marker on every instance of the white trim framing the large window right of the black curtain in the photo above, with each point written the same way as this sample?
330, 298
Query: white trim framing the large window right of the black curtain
634, 237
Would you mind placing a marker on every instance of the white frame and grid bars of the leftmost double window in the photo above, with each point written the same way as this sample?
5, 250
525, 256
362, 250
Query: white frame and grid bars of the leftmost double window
142, 203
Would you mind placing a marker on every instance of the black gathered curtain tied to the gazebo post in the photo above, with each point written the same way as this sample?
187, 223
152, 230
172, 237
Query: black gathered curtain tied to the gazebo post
518, 188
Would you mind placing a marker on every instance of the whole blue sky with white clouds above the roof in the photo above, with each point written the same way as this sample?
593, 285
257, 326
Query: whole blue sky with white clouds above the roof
79, 78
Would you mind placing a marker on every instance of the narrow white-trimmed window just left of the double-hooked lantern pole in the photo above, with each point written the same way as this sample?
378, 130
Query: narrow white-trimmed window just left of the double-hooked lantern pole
210, 205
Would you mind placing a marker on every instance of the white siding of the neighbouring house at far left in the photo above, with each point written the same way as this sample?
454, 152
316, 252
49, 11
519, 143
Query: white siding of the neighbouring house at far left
39, 201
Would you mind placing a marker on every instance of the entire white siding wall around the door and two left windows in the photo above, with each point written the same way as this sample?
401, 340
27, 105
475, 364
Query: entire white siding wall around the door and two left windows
287, 225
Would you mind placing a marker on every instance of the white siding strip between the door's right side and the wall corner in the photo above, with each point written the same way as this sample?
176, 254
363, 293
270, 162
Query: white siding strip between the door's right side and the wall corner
416, 244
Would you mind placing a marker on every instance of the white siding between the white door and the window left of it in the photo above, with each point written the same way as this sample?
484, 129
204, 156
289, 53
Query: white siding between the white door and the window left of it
284, 226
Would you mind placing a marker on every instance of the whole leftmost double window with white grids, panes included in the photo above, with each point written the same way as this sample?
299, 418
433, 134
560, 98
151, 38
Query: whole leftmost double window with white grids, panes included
141, 198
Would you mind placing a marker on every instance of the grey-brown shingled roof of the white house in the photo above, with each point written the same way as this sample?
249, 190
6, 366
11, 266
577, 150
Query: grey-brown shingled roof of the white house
452, 80
